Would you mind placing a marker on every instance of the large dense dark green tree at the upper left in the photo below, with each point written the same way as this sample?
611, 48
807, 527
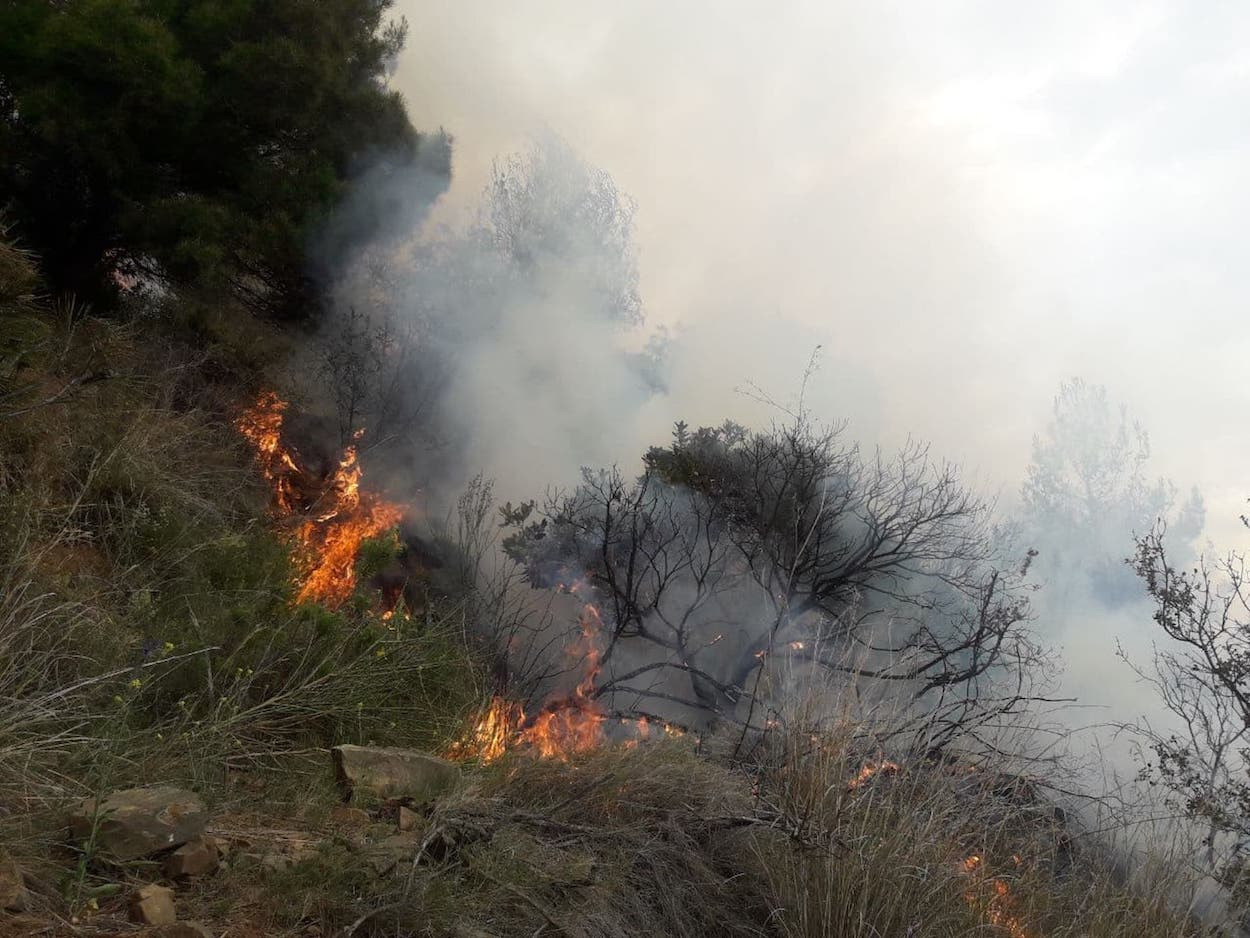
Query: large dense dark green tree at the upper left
188, 141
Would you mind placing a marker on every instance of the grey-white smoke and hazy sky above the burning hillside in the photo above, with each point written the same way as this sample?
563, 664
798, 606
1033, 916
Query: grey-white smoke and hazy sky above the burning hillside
964, 206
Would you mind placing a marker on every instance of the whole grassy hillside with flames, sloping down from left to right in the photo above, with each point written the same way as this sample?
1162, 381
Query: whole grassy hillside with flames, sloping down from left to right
159, 630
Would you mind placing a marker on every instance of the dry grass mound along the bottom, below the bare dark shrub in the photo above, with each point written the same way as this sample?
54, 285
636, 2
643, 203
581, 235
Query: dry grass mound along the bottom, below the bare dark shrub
663, 841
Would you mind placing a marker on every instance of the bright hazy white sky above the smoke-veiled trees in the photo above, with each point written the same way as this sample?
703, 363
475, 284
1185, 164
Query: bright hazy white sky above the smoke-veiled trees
964, 203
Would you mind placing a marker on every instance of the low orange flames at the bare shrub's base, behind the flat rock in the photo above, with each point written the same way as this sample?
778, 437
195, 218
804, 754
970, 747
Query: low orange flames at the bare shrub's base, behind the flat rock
566, 725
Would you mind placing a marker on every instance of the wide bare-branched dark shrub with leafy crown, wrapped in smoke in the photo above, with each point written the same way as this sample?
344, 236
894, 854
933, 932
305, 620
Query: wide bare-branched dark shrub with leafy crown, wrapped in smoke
736, 548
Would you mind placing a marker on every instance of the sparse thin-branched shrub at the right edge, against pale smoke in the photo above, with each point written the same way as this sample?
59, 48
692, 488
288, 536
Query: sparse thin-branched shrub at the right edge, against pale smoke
1202, 676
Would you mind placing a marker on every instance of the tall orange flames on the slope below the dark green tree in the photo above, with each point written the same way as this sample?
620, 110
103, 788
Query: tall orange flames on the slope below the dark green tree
331, 517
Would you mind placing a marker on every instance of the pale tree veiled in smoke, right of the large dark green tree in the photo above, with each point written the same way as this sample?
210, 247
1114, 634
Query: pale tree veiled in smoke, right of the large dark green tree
508, 315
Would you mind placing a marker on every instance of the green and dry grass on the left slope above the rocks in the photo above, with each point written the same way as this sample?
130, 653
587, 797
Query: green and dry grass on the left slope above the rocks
146, 602
